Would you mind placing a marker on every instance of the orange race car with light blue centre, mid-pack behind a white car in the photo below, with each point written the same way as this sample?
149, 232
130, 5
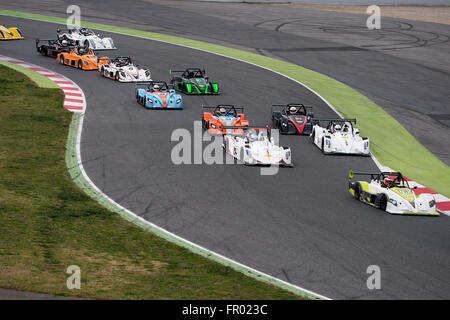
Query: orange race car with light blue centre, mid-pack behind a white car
224, 115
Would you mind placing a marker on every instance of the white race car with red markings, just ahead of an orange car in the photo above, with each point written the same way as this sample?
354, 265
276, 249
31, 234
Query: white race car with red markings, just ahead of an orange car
255, 146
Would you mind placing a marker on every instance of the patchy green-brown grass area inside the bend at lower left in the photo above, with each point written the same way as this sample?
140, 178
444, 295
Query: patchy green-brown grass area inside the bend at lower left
47, 223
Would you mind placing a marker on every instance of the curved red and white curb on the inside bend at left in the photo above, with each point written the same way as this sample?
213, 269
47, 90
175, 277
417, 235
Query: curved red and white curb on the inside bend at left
74, 97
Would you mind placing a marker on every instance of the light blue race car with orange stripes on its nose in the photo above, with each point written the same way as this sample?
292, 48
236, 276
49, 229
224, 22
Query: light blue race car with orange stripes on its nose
158, 95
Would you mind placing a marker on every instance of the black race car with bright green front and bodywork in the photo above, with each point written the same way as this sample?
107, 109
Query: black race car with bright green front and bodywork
193, 81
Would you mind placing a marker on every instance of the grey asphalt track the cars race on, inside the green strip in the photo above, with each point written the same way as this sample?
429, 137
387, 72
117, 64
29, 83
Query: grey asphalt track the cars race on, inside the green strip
300, 225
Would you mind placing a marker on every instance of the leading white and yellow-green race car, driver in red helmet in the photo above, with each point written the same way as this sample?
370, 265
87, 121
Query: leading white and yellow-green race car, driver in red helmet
389, 191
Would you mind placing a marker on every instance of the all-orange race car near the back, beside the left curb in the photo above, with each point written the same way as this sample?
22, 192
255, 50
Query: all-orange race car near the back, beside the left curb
82, 59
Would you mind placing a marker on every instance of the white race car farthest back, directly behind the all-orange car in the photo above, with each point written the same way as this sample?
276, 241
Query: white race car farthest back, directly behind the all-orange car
87, 38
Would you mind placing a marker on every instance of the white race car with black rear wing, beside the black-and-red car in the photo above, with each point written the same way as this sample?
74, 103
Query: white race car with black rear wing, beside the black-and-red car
339, 136
